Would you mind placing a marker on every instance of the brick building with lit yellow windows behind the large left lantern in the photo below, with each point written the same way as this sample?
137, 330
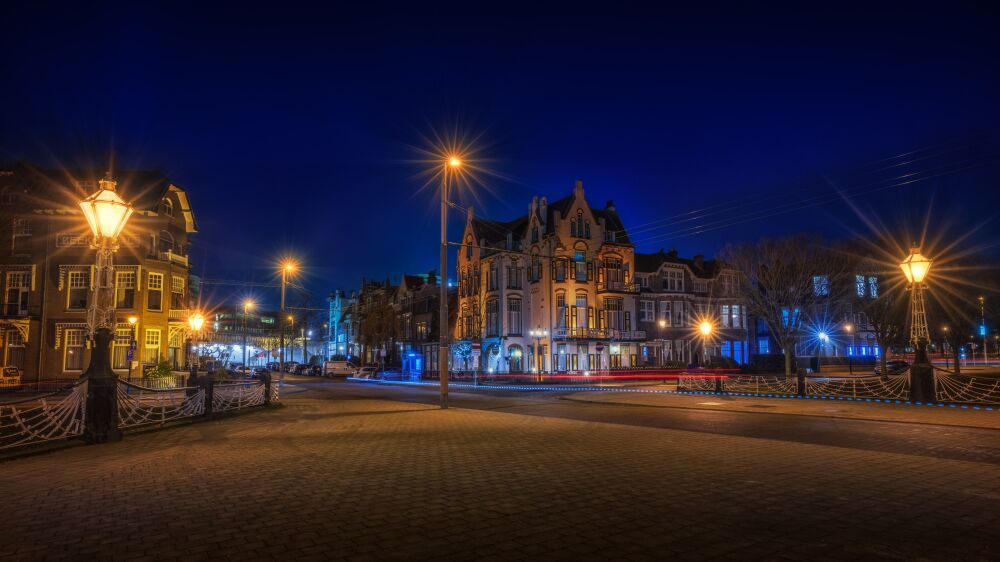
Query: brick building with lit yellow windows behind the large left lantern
47, 270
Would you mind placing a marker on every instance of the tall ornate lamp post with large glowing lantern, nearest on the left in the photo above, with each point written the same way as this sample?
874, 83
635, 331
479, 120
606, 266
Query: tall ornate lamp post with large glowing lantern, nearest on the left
106, 213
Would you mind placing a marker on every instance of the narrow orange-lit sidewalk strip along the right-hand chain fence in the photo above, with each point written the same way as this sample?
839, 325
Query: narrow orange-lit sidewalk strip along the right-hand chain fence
902, 413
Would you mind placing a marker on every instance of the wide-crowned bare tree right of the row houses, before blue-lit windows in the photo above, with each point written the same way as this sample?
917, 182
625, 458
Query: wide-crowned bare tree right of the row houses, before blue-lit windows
791, 284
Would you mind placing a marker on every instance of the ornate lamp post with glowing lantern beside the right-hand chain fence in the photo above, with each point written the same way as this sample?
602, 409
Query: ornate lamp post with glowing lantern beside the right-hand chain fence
915, 268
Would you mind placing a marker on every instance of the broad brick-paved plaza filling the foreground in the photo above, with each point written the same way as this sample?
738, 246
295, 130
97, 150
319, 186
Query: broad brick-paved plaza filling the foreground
330, 476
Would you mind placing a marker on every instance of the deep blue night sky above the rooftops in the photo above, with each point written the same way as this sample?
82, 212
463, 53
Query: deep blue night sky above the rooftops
291, 125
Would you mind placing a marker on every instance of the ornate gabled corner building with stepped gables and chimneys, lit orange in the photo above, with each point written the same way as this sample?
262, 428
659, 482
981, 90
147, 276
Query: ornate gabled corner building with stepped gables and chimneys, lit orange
552, 290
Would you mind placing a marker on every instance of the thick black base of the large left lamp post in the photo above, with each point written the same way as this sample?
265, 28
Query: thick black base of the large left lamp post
101, 423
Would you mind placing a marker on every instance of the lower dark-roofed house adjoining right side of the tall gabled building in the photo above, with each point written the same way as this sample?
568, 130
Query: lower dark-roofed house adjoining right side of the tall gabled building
675, 296
